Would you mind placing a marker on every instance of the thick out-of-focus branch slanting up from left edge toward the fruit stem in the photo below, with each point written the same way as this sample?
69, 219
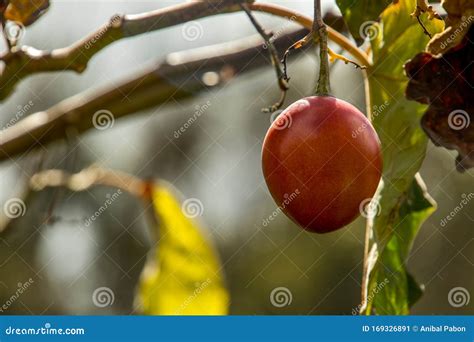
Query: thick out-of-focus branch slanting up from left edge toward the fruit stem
158, 85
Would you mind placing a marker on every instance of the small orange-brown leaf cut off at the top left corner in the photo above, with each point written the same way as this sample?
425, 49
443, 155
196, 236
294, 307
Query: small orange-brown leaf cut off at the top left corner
25, 11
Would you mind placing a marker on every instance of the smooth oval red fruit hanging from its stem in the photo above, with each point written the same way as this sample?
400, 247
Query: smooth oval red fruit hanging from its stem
321, 159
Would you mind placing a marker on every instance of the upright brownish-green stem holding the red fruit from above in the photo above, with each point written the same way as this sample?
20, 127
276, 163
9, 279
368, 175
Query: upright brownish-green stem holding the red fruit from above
320, 34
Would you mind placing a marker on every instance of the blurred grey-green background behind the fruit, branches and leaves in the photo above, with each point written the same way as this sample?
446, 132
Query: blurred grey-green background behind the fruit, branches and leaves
217, 160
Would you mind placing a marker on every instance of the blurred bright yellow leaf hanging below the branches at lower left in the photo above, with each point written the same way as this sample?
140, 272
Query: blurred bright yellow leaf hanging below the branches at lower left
183, 275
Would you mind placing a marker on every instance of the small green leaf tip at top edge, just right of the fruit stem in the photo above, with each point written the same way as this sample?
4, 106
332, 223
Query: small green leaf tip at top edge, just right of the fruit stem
358, 15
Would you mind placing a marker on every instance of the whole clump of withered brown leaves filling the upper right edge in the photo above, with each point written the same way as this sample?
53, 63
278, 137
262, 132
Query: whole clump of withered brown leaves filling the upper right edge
443, 77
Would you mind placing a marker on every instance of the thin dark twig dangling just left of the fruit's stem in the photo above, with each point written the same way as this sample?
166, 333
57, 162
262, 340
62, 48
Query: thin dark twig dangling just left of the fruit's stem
280, 69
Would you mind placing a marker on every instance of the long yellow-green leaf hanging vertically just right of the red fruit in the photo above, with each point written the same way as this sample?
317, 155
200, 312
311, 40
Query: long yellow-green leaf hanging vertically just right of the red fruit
403, 202
